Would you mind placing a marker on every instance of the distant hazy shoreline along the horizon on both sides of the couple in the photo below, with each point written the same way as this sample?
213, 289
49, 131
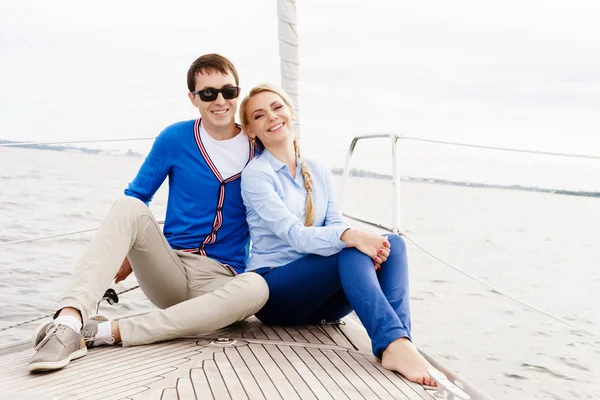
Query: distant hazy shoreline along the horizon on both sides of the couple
336, 171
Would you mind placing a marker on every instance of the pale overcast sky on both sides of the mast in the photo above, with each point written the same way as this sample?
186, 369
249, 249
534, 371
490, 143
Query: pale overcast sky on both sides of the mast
509, 73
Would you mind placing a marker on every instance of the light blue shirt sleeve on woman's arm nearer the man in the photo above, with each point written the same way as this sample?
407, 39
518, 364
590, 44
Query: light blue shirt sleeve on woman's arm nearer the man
260, 197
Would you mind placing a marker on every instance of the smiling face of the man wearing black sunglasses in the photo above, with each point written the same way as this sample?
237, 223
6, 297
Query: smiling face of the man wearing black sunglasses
220, 112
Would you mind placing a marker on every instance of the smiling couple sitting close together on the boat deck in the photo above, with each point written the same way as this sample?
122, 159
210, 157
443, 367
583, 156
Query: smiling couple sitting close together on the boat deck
229, 185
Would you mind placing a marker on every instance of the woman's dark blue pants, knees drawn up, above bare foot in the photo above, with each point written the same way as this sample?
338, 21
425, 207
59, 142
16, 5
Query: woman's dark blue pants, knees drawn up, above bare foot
316, 288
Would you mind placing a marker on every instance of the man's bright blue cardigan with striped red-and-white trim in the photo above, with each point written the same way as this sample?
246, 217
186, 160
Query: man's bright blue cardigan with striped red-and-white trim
205, 213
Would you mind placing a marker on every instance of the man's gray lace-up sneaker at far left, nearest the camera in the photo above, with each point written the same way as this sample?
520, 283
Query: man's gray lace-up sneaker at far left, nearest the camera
57, 348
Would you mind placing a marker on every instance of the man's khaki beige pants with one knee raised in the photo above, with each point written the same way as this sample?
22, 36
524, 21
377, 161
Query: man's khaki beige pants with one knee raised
195, 294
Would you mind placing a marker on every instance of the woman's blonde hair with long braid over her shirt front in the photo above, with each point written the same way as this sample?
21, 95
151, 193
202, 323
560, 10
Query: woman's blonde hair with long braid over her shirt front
309, 208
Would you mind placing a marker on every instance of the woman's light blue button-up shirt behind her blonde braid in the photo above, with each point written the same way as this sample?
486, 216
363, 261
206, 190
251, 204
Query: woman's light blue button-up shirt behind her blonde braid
275, 213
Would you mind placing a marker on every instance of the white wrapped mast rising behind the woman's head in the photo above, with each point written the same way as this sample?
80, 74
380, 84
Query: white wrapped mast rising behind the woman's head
289, 54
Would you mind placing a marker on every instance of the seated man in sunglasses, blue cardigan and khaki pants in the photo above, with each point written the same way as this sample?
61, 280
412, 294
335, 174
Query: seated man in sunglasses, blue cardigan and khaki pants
194, 271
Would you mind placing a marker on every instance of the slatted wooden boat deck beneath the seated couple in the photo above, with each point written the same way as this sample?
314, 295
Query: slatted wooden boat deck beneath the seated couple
257, 362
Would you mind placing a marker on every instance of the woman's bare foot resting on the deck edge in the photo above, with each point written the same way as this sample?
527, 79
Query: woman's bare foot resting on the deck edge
402, 356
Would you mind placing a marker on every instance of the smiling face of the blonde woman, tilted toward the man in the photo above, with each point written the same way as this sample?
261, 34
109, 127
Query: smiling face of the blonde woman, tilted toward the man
269, 119
